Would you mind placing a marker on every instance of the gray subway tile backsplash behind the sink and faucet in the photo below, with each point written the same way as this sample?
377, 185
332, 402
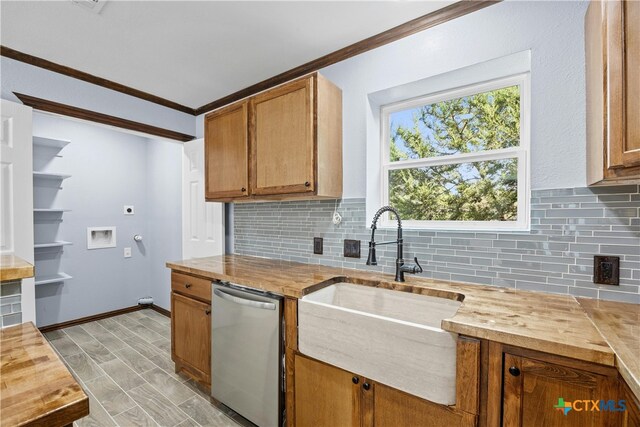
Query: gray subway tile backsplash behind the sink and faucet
569, 226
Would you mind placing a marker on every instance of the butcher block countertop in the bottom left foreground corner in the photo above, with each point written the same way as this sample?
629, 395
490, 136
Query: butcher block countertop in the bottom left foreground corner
36, 388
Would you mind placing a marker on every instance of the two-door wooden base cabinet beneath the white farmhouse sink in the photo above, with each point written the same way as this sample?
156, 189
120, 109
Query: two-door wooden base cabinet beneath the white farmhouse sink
329, 396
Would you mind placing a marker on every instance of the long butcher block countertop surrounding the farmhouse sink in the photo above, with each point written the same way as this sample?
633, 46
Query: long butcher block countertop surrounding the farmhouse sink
556, 324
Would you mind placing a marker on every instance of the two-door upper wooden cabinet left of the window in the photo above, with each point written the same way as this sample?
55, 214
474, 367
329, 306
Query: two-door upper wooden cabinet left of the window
293, 135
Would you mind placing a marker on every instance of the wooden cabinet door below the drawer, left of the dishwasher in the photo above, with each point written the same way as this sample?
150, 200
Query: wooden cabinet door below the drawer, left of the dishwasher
191, 335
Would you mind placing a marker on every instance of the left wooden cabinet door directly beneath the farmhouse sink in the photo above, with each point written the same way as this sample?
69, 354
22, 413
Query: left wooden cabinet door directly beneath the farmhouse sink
325, 395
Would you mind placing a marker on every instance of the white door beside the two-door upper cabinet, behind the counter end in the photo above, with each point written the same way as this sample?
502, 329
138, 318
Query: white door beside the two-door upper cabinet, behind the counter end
202, 222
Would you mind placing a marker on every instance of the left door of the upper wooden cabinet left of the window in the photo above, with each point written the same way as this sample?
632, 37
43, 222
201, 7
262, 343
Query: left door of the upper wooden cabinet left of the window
227, 152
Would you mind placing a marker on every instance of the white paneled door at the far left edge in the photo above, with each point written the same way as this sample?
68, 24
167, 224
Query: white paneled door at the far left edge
16, 193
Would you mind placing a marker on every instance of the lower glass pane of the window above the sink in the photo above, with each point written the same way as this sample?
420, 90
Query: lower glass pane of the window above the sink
477, 191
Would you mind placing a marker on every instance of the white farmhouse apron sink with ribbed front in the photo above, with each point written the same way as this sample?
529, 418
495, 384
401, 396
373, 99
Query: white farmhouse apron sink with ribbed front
389, 336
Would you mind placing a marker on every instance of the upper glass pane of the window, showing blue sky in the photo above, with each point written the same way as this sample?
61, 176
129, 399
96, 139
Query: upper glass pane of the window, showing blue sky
480, 122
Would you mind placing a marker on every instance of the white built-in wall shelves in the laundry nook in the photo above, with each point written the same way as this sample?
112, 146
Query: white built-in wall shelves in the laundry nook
46, 218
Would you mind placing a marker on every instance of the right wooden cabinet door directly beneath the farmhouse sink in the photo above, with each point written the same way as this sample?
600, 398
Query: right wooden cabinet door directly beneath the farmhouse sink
394, 408
